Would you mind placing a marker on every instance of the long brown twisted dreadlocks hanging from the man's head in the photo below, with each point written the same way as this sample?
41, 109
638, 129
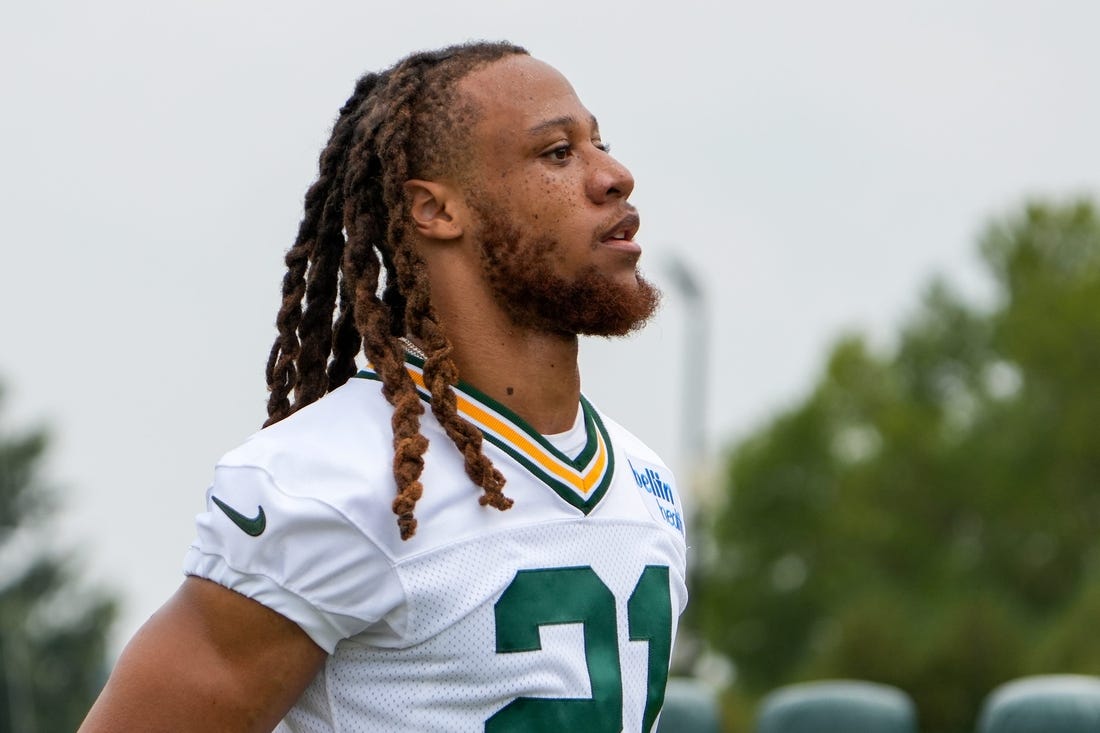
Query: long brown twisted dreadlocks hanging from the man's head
400, 125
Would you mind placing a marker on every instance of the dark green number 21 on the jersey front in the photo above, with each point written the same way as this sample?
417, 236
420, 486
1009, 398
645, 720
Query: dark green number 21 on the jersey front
569, 596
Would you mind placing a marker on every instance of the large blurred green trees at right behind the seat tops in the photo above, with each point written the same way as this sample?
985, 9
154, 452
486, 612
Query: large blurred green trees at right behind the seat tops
930, 518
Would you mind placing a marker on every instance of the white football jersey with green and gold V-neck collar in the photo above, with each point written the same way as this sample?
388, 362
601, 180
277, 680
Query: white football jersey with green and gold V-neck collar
557, 615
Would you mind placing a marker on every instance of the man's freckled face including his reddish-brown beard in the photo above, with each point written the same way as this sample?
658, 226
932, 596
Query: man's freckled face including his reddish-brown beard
543, 220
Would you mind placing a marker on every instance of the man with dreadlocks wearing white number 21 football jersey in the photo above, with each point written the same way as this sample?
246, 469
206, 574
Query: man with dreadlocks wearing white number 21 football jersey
467, 225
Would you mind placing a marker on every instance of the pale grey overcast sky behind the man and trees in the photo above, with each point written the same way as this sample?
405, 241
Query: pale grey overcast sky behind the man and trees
813, 163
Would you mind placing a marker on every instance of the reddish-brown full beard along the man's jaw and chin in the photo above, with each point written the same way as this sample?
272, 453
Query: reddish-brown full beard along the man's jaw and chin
522, 276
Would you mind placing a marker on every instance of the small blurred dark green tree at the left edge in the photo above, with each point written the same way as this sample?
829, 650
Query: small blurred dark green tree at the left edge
53, 659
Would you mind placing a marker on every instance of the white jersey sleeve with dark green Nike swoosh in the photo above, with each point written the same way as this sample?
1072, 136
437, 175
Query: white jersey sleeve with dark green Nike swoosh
298, 555
